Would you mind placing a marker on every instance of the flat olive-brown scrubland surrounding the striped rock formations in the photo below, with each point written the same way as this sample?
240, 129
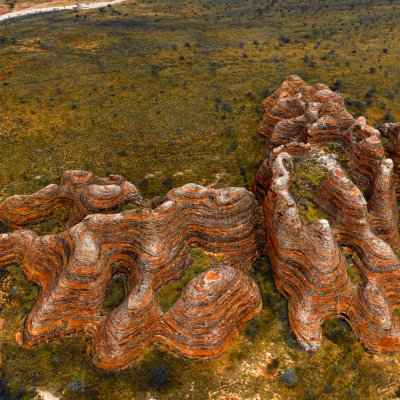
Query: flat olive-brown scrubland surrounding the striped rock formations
166, 93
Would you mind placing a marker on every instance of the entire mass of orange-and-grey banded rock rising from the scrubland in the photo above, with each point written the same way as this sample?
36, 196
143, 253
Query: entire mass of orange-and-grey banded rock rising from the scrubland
323, 206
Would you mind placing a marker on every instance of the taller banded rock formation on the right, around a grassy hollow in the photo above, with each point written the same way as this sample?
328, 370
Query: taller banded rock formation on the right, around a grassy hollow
311, 262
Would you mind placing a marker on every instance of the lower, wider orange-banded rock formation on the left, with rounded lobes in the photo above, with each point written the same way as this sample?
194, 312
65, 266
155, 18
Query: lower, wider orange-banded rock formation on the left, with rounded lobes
151, 248
